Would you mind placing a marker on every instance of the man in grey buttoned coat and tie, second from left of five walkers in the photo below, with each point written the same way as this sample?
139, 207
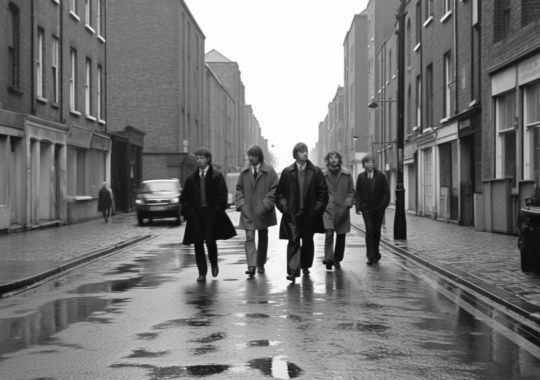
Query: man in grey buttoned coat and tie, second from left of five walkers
256, 201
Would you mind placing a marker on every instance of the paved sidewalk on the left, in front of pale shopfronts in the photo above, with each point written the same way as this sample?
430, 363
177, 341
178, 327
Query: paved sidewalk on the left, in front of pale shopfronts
27, 254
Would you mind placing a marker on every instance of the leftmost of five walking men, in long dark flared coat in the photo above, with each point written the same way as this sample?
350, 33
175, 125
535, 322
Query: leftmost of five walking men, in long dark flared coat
204, 201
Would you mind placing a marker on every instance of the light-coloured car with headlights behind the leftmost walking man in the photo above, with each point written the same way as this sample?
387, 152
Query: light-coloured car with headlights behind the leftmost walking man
157, 199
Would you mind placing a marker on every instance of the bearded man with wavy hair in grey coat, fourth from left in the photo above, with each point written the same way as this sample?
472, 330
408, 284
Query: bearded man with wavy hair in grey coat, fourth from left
337, 218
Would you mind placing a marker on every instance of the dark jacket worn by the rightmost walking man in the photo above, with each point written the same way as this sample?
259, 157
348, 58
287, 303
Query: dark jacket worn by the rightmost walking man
374, 194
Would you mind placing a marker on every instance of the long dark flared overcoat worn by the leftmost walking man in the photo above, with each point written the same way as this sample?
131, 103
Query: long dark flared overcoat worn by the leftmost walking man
216, 199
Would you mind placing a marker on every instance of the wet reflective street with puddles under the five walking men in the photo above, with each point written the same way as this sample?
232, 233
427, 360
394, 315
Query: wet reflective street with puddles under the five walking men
141, 315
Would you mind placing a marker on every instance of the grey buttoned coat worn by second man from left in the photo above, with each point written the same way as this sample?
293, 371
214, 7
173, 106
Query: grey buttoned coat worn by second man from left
256, 198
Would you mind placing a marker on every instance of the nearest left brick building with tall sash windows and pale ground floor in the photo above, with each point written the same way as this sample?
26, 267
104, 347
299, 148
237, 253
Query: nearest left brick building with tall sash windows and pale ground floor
53, 143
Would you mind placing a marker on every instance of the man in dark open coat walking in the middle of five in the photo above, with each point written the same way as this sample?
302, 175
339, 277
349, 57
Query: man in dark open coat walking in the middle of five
302, 197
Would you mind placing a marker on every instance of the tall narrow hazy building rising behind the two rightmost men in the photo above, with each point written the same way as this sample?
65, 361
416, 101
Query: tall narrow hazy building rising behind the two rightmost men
355, 95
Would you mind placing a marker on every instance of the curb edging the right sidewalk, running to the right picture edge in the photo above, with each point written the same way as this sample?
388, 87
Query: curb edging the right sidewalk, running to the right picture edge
518, 305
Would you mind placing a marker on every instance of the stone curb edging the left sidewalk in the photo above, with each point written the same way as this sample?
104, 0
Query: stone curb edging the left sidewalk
28, 281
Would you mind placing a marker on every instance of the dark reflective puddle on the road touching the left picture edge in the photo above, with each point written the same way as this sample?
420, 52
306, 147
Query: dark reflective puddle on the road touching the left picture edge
39, 327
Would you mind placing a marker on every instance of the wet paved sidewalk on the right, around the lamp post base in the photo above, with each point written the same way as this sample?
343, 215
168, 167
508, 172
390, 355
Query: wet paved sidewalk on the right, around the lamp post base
493, 258
